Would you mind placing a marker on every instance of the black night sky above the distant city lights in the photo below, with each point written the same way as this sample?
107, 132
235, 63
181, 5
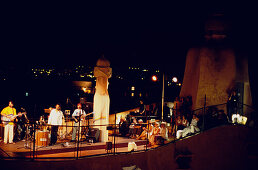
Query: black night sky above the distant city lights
152, 33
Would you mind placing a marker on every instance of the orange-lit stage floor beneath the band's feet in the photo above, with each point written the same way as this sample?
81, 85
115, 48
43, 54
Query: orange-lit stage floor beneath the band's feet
67, 149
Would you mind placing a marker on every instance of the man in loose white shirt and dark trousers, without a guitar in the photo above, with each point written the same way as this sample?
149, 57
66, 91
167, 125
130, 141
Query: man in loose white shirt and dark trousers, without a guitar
55, 119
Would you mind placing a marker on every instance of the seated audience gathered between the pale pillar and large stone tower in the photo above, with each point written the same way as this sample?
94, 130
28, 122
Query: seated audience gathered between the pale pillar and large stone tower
157, 131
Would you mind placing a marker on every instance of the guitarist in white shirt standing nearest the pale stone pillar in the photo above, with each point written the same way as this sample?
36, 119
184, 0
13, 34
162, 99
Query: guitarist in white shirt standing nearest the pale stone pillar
77, 115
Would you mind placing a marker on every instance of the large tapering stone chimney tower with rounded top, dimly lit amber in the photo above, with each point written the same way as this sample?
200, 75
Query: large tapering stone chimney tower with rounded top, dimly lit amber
215, 69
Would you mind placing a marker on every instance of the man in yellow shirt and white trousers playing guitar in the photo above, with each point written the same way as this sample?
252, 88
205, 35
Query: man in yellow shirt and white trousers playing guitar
8, 115
